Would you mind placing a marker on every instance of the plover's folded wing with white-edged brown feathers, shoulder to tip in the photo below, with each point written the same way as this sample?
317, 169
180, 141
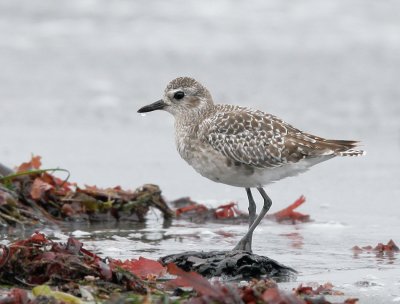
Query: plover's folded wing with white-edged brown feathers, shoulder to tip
263, 140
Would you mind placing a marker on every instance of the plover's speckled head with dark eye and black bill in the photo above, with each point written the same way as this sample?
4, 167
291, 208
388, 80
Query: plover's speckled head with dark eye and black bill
182, 96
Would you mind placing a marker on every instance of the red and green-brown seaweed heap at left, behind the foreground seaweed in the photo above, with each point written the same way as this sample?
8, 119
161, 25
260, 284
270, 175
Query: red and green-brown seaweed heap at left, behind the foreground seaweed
31, 195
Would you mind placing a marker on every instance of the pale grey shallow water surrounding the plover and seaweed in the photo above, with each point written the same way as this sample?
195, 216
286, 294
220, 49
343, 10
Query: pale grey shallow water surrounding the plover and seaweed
75, 72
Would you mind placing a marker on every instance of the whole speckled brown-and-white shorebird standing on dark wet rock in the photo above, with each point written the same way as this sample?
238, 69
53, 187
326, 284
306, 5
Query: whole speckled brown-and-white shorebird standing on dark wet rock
239, 146
